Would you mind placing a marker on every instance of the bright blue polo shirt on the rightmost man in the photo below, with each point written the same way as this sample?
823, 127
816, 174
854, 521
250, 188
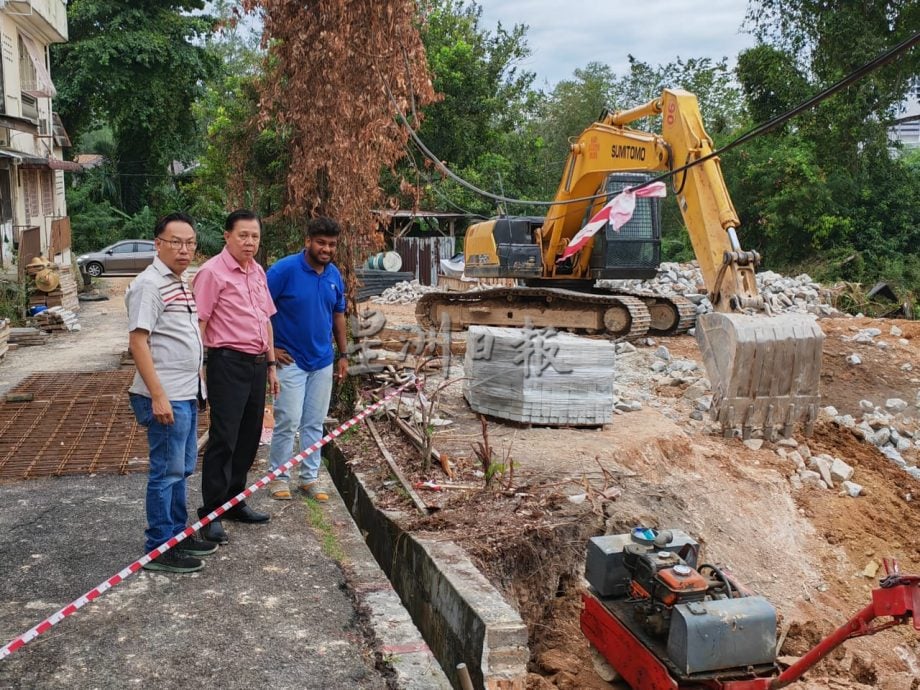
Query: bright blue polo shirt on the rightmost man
305, 301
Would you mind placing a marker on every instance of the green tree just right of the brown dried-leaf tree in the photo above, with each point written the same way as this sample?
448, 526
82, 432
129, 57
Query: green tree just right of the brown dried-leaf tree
480, 124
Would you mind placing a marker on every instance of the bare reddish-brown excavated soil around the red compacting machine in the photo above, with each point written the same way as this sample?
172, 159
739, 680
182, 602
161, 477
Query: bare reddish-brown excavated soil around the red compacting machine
804, 550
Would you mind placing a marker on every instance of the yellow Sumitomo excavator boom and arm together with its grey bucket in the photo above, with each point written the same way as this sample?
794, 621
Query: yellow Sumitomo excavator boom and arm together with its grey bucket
765, 370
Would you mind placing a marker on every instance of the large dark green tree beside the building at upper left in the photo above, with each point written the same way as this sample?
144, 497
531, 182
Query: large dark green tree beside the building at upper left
136, 67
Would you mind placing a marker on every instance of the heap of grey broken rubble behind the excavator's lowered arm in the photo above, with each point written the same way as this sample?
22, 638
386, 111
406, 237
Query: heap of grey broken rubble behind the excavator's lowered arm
783, 294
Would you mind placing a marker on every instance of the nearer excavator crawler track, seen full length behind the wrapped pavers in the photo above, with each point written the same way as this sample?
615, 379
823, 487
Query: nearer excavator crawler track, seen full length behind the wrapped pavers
623, 317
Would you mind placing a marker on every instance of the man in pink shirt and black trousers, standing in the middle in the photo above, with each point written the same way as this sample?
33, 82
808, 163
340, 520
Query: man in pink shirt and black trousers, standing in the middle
234, 312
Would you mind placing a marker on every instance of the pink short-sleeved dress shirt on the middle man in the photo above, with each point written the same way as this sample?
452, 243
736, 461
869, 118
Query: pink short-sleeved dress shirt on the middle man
235, 304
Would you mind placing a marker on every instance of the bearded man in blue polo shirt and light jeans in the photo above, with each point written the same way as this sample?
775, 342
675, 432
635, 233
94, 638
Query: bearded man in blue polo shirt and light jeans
309, 294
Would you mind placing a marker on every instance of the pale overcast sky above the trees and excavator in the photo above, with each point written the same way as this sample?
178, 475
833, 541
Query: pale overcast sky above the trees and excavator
567, 34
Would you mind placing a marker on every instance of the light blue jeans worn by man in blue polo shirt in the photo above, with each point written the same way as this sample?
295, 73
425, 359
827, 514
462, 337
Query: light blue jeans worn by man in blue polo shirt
301, 406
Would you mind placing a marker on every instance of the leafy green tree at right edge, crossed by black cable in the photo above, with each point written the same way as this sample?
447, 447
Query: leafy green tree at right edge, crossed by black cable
824, 191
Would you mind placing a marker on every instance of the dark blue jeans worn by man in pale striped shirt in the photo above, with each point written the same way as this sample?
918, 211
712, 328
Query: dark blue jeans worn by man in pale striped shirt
173, 450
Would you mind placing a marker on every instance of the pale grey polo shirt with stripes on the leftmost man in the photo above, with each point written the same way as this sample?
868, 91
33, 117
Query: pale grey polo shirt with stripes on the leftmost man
161, 303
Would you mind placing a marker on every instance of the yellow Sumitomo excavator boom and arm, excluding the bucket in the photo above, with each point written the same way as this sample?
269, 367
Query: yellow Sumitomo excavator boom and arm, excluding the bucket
611, 146
